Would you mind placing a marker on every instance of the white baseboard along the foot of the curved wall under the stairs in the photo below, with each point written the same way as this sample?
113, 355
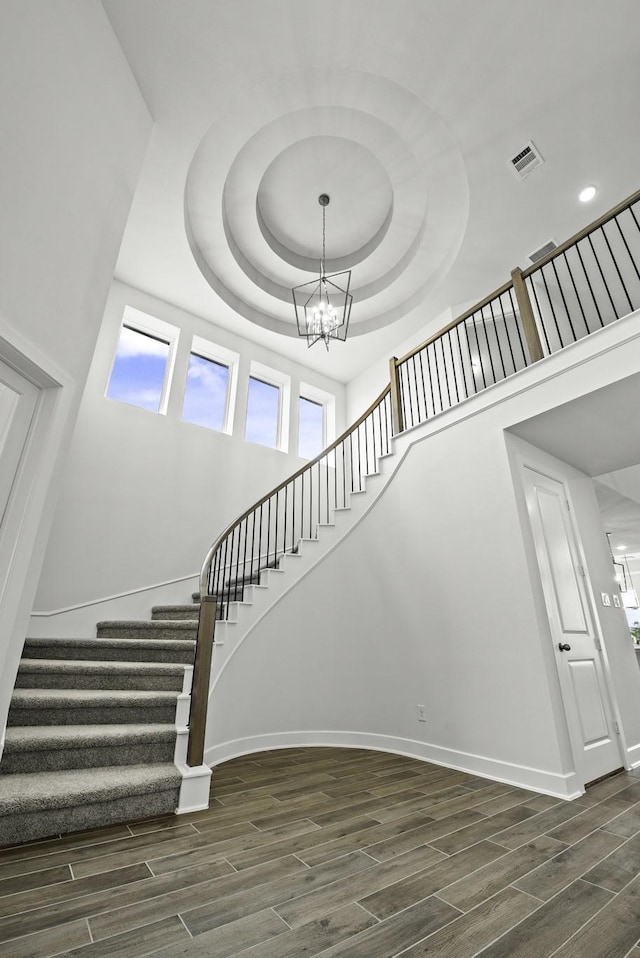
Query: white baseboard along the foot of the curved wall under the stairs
539, 780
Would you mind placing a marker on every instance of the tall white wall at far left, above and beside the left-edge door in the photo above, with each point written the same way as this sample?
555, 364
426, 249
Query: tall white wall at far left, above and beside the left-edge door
74, 132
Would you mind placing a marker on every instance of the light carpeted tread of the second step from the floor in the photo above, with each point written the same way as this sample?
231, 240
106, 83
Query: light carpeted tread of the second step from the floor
41, 737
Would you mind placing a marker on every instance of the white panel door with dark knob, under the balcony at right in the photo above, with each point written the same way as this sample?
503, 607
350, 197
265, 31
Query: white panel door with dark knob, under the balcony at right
585, 694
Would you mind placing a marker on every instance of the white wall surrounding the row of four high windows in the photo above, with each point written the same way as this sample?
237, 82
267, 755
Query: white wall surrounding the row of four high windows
144, 495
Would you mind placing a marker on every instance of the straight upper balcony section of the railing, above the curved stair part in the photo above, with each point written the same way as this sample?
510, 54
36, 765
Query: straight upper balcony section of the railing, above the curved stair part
583, 285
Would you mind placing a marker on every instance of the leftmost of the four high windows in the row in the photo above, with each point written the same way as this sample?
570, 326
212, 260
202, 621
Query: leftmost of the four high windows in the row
143, 361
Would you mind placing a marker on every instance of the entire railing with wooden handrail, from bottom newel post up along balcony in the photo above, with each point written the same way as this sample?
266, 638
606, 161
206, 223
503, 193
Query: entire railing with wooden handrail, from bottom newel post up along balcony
580, 287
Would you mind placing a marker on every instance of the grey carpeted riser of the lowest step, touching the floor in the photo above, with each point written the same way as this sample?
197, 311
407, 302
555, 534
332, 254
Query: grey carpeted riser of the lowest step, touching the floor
27, 827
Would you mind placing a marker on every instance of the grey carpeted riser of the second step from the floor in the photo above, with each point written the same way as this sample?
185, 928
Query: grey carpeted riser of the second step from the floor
55, 760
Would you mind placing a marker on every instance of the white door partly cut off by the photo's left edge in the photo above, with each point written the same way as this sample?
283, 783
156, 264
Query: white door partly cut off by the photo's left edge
18, 400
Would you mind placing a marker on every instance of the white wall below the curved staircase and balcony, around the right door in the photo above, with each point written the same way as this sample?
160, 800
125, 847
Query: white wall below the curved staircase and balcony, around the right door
431, 599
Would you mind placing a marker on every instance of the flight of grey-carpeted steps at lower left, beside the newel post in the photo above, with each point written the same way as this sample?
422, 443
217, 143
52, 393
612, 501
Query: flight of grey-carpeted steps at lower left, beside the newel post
96, 726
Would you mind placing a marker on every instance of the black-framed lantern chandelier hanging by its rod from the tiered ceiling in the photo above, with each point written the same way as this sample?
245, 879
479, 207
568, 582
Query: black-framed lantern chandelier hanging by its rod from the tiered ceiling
323, 306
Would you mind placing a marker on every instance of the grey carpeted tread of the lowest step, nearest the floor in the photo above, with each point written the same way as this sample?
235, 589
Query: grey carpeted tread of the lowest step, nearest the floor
29, 792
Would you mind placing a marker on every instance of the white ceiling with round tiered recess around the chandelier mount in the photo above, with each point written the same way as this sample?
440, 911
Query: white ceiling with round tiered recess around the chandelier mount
406, 112
